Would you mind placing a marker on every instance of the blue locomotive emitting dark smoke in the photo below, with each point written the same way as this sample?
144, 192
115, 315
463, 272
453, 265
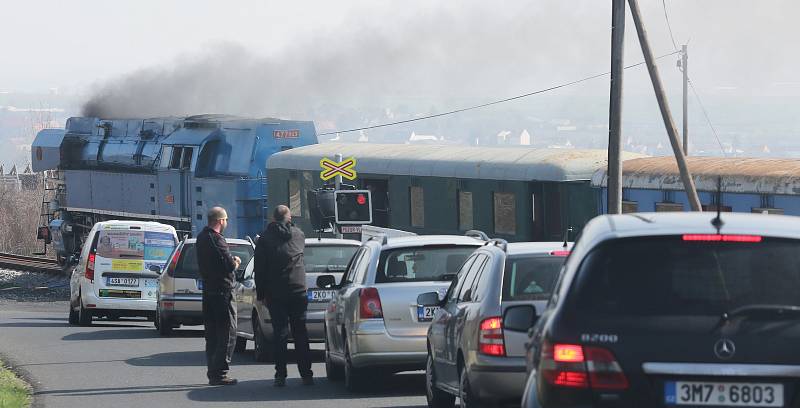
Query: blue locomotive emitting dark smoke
170, 170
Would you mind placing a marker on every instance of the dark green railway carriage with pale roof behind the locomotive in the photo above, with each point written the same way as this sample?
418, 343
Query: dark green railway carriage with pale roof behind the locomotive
515, 193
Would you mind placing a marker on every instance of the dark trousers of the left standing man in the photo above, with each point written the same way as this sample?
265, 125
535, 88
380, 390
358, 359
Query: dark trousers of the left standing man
219, 316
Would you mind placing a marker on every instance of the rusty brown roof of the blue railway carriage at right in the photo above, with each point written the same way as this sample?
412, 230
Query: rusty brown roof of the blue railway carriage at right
739, 175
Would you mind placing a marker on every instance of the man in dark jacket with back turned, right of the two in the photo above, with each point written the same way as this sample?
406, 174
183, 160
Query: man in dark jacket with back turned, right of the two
280, 276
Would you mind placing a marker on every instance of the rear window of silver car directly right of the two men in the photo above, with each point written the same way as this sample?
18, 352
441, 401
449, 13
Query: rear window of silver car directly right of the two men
424, 263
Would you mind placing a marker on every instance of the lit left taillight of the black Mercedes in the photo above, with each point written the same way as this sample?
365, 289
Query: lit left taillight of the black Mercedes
576, 366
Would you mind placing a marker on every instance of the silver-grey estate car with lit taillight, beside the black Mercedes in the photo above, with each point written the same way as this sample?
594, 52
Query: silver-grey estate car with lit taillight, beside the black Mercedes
476, 342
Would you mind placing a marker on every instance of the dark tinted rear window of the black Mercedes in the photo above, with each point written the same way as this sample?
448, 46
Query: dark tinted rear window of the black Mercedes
673, 276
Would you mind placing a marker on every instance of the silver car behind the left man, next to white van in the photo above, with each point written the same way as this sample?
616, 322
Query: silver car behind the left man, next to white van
180, 292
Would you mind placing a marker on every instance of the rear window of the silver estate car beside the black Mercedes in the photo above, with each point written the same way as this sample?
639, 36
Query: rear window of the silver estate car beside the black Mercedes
530, 277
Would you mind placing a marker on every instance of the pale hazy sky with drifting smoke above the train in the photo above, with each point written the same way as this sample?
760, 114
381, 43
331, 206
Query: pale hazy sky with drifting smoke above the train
350, 48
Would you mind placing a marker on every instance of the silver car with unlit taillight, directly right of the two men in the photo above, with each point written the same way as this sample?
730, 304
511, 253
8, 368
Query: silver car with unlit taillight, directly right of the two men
374, 321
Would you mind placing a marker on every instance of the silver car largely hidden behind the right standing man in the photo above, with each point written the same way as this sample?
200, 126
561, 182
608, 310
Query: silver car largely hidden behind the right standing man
322, 256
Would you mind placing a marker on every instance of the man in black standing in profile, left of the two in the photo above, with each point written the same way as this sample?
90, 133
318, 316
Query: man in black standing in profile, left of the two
217, 268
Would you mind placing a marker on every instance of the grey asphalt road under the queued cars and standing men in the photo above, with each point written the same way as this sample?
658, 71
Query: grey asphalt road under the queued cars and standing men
126, 364
